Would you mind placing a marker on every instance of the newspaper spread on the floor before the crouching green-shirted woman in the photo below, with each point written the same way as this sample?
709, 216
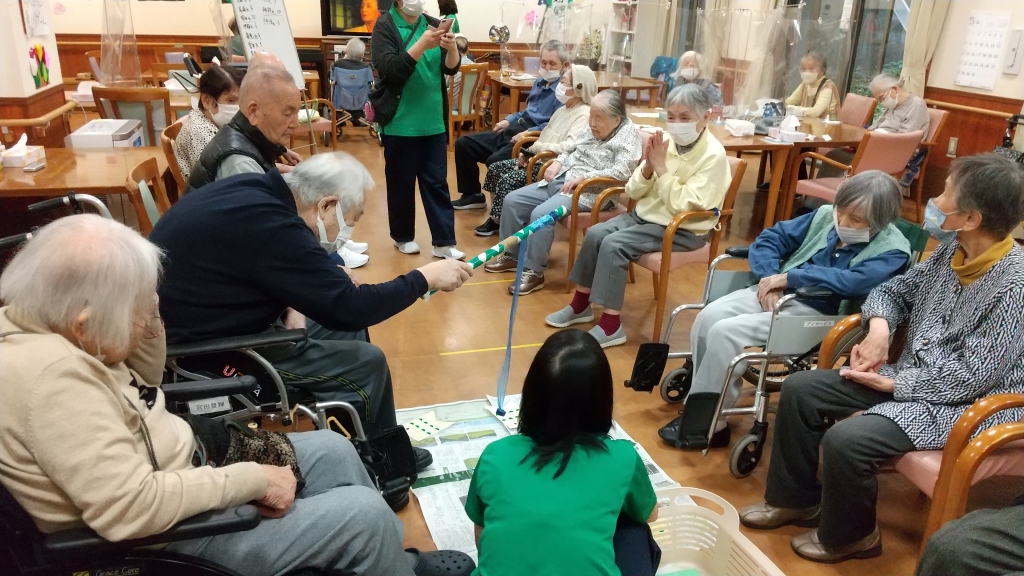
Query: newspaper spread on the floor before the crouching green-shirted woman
442, 488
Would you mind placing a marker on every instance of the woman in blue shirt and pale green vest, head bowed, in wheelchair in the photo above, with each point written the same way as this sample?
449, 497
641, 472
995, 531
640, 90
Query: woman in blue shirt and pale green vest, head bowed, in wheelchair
848, 250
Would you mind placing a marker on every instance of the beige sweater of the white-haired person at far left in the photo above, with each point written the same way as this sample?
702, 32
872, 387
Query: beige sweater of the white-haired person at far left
71, 446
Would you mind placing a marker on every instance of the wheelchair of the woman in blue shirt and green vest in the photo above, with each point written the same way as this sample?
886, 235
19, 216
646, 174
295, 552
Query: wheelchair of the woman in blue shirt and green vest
793, 346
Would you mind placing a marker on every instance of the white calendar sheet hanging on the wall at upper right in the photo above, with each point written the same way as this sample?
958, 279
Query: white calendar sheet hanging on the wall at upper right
984, 48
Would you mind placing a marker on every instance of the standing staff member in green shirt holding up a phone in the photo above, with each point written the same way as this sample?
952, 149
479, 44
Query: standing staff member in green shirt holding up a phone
411, 58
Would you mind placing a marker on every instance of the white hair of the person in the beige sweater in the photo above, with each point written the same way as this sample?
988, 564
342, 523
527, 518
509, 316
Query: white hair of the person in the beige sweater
81, 264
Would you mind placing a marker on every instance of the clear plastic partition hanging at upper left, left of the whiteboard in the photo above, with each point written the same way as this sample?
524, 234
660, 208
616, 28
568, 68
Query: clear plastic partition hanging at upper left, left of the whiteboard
119, 50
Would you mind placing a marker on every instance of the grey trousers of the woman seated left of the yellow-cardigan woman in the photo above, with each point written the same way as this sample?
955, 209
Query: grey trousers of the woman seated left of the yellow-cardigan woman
527, 205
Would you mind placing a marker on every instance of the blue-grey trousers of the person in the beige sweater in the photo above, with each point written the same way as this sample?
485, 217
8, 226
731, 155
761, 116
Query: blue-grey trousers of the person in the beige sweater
338, 524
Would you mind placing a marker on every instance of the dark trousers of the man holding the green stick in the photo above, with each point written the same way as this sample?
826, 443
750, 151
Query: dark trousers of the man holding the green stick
338, 366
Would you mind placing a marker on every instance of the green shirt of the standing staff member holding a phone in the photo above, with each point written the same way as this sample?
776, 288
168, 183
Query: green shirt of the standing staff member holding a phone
421, 109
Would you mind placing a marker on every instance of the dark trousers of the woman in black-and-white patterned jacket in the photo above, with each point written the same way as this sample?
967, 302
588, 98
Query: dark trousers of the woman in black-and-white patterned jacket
852, 450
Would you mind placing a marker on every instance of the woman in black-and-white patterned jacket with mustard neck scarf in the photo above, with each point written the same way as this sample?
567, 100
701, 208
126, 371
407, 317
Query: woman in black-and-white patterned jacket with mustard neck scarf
964, 319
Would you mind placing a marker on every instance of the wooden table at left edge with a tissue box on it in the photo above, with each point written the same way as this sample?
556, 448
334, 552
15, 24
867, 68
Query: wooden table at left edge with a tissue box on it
82, 171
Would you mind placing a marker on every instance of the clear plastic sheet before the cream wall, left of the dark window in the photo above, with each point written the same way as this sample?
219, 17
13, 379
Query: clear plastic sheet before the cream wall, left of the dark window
739, 53
